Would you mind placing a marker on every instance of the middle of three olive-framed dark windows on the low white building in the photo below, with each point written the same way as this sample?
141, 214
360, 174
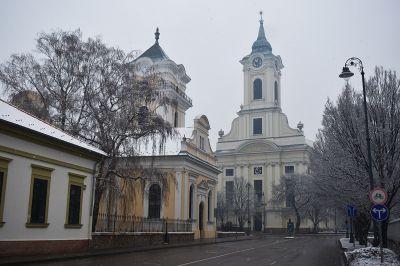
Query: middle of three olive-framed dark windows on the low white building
39, 196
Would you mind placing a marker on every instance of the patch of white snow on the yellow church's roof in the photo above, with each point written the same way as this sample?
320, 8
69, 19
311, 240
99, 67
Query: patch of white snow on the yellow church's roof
171, 146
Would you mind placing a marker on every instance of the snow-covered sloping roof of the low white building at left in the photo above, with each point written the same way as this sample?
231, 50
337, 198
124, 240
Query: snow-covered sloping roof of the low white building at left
16, 116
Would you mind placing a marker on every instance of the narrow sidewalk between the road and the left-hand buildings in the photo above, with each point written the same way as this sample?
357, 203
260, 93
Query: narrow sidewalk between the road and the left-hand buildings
103, 252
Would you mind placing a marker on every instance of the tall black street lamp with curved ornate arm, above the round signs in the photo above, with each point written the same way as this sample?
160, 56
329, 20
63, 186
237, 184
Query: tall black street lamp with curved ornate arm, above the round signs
346, 75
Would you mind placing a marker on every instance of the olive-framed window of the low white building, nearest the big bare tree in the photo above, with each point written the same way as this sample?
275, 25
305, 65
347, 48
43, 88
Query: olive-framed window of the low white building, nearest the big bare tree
76, 186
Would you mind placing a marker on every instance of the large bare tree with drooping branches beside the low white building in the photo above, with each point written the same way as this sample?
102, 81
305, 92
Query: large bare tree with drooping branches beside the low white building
91, 92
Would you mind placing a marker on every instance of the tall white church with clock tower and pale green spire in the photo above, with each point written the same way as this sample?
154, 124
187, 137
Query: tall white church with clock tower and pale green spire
261, 147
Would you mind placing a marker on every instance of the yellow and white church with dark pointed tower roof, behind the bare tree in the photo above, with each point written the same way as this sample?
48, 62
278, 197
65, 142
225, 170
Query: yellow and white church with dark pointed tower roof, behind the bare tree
173, 188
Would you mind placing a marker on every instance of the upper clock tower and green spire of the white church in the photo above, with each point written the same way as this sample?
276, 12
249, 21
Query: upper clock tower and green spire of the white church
262, 75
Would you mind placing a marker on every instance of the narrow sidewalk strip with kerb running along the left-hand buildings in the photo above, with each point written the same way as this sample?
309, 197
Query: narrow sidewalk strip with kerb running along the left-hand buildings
105, 252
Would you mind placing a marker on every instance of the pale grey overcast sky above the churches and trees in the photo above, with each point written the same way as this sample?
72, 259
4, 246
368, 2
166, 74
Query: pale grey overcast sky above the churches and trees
209, 37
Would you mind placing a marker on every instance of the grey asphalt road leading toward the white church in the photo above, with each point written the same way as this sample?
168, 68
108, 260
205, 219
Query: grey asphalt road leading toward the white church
271, 250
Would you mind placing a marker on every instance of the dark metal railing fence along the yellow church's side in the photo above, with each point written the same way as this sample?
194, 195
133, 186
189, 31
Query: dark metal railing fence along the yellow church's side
126, 223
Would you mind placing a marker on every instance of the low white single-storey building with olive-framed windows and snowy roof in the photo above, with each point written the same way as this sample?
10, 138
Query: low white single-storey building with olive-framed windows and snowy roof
46, 186
